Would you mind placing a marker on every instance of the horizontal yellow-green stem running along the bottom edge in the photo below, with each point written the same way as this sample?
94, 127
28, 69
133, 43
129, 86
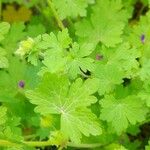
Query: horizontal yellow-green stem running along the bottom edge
4, 143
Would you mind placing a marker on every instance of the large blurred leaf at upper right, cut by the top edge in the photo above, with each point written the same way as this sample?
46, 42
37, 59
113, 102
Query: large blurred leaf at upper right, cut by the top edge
106, 28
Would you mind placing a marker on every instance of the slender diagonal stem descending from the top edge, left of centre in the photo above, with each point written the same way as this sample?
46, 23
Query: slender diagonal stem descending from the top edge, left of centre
59, 22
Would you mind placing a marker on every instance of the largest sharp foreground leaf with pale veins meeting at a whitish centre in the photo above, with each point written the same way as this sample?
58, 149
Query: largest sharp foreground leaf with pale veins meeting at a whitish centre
56, 95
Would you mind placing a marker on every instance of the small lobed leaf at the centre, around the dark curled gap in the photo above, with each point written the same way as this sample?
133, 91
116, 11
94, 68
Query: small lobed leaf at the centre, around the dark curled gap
79, 59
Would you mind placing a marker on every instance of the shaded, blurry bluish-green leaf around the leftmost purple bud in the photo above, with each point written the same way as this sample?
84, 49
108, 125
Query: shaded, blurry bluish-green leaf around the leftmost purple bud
16, 72
